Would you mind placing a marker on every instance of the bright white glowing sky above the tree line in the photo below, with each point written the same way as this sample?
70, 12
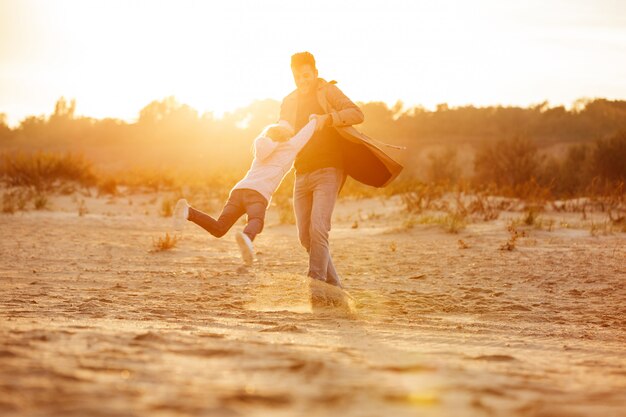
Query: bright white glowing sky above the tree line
116, 56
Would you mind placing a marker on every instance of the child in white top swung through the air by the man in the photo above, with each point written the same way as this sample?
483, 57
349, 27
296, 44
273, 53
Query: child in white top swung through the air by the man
274, 152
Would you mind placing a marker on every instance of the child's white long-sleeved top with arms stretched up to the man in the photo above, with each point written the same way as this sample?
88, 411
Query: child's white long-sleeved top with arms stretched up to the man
273, 160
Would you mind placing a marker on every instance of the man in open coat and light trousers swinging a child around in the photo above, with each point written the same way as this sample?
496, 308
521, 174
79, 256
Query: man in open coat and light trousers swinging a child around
335, 150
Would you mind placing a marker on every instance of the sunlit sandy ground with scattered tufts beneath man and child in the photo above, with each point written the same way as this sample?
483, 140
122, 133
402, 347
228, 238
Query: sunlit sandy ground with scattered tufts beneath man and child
94, 323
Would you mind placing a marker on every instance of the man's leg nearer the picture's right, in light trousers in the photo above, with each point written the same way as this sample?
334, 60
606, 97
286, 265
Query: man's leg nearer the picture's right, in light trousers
325, 182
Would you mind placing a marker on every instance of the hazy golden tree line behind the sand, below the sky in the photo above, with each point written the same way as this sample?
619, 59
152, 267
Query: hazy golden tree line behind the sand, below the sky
565, 149
